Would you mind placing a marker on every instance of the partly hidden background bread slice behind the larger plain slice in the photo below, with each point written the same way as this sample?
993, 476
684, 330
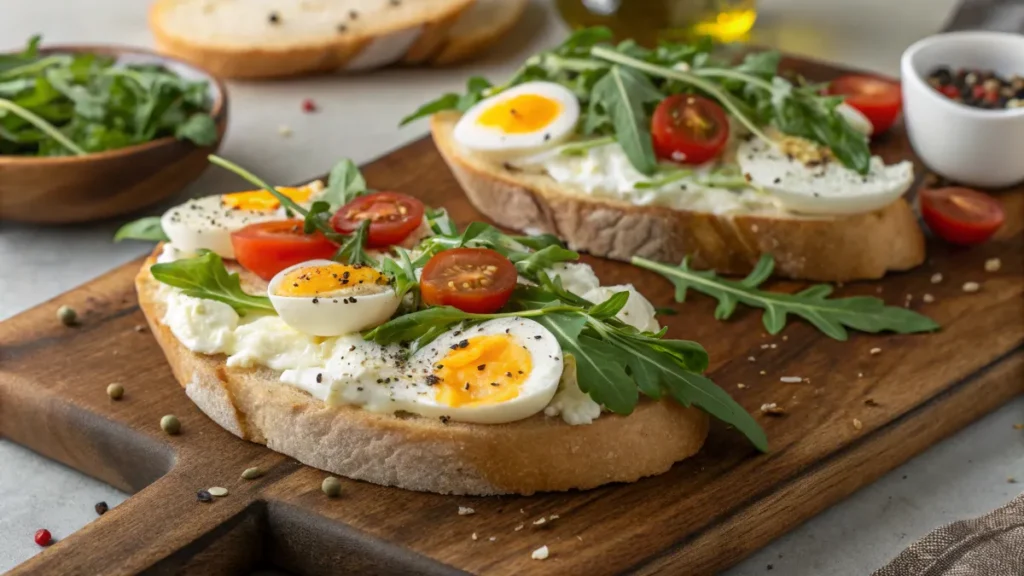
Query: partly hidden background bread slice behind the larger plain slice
486, 23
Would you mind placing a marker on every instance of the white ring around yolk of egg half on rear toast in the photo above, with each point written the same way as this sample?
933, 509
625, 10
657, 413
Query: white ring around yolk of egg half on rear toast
496, 143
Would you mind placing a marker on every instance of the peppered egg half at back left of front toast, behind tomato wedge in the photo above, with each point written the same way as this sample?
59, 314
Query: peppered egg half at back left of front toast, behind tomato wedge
207, 224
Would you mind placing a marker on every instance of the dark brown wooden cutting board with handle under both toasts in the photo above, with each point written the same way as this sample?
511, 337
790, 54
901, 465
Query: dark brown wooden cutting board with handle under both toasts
703, 516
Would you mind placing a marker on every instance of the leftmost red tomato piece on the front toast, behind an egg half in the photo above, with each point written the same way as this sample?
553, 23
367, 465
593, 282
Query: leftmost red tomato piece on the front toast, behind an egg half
267, 249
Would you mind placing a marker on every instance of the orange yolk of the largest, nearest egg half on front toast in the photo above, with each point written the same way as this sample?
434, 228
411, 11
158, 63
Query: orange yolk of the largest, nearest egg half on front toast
483, 371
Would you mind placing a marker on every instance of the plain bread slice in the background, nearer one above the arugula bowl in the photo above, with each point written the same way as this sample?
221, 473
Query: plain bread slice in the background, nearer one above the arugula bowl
275, 38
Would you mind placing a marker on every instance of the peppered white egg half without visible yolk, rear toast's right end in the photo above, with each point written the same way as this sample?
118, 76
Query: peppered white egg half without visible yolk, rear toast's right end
805, 179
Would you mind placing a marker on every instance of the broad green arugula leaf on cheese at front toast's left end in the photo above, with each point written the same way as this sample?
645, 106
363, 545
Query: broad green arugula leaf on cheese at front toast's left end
206, 277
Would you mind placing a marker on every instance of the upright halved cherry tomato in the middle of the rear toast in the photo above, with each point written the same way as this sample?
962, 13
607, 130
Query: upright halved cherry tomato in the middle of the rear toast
690, 130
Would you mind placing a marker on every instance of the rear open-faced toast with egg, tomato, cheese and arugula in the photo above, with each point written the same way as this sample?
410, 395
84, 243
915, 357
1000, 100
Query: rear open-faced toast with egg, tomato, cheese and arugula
666, 153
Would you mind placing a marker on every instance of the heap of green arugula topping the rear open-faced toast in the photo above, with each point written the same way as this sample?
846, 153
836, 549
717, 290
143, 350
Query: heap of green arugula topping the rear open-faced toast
619, 86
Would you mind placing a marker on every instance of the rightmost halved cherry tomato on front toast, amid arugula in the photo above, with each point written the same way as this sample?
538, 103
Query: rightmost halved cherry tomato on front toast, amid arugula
474, 280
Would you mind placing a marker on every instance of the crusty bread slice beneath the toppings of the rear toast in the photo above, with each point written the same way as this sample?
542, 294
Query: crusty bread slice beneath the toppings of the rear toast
832, 250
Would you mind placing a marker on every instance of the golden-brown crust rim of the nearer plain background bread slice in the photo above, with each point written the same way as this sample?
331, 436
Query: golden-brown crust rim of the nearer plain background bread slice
301, 59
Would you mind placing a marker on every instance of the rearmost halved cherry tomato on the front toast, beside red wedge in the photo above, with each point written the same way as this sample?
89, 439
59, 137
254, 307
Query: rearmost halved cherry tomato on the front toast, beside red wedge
393, 217
